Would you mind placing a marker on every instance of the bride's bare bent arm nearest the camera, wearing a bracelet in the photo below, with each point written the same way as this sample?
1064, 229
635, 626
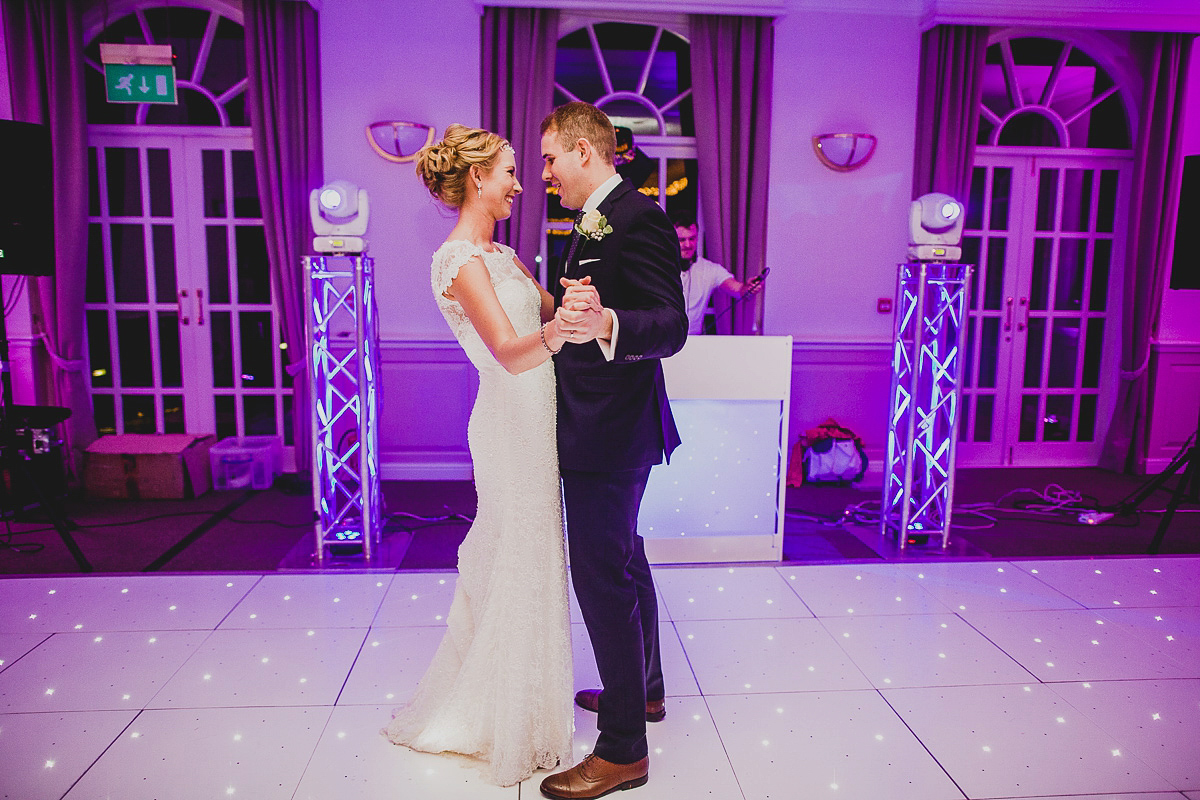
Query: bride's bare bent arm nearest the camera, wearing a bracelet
475, 292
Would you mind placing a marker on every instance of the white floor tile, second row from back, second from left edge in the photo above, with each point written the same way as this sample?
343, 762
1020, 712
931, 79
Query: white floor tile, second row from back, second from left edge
272, 667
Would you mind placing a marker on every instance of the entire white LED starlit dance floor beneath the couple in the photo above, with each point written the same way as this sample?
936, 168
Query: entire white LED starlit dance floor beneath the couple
867, 682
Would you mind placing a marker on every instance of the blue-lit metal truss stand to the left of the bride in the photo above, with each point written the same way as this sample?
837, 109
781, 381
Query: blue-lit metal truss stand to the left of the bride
344, 363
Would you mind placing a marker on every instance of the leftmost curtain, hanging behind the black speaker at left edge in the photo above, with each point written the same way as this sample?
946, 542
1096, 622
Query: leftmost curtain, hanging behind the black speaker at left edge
46, 69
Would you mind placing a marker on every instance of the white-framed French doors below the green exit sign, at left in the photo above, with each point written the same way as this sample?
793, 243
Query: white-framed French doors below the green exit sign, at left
182, 324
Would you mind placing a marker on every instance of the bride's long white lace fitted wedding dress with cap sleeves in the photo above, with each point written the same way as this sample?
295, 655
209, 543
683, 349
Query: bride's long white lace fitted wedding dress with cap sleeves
500, 688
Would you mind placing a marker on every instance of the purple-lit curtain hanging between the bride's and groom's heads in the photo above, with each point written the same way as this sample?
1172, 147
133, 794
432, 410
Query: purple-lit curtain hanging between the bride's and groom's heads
518, 89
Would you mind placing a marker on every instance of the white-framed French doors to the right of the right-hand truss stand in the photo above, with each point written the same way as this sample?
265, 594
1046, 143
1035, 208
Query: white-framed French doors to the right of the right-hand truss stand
1047, 234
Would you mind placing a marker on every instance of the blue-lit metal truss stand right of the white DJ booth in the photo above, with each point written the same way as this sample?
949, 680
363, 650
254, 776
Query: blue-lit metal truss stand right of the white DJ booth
927, 366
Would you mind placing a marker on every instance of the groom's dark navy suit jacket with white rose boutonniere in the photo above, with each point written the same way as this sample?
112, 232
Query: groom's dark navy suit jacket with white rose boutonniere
615, 416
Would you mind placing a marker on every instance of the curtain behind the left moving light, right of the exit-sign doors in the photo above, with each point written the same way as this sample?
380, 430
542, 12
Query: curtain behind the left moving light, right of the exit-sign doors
284, 71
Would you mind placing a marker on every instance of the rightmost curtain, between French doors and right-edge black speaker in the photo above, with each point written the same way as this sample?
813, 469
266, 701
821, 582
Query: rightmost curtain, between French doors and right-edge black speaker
1155, 202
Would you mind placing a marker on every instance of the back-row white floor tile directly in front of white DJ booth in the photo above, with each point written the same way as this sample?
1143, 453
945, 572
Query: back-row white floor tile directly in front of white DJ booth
728, 593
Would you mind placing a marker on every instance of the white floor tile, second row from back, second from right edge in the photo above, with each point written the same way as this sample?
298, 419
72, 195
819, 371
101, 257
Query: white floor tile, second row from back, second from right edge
1060, 646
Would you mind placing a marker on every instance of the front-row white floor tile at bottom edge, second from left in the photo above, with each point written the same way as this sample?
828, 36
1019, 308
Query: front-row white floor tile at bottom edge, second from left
207, 754
